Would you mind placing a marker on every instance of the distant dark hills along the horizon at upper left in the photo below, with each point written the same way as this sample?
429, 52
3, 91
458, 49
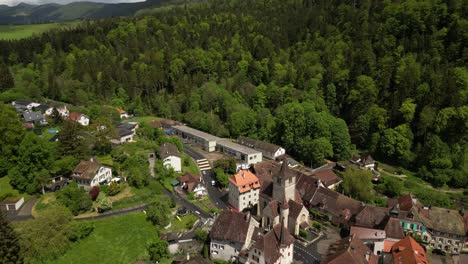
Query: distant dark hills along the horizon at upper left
33, 14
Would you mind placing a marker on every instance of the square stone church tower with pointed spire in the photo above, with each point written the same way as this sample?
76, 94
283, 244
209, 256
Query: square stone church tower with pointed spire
284, 184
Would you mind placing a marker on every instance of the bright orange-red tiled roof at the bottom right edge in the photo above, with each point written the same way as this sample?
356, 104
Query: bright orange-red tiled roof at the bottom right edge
408, 251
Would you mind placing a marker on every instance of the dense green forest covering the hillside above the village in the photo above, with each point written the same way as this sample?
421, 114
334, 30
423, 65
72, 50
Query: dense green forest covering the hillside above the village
322, 78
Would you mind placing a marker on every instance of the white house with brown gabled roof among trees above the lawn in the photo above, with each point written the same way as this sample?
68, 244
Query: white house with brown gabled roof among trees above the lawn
88, 174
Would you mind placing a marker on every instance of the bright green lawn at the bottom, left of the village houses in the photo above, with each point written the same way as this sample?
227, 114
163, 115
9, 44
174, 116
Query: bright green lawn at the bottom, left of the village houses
120, 239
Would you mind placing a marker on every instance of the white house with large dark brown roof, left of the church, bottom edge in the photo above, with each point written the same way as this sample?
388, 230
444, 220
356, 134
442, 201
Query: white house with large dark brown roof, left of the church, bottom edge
231, 233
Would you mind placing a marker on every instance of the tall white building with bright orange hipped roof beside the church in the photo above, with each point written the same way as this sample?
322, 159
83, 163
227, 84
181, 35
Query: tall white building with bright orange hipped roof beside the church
244, 190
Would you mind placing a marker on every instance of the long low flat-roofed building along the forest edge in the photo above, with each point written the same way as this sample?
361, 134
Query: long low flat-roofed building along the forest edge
211, 143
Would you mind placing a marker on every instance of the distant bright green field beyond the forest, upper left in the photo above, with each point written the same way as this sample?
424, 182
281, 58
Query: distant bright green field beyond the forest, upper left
24, 31
